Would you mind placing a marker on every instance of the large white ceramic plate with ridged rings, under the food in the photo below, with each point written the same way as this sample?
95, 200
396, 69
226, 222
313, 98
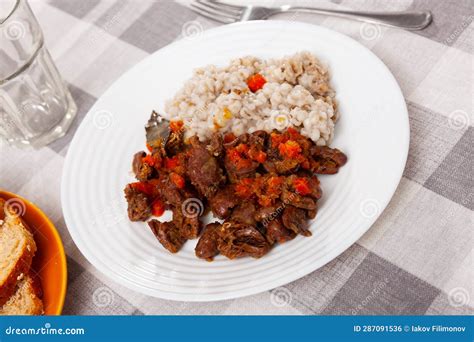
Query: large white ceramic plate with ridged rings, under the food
373, 131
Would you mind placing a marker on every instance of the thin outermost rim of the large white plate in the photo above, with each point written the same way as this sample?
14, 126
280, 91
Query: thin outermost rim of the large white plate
295, 275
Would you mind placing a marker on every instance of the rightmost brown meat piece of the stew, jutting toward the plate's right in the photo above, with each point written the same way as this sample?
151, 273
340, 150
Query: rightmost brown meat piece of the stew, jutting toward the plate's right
326, 160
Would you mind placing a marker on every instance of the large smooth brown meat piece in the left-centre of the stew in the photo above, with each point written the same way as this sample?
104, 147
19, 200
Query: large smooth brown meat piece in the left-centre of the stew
203, 169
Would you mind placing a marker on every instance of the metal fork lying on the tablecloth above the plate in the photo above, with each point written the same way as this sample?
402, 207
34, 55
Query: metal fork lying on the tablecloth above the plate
227, 13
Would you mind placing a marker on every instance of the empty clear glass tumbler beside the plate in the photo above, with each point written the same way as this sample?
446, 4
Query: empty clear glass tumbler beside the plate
35, 105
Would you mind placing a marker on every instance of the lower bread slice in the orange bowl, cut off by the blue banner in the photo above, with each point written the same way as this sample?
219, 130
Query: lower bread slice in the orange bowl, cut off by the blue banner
26, 299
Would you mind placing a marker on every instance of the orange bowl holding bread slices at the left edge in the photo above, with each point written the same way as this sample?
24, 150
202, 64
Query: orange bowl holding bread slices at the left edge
49, 262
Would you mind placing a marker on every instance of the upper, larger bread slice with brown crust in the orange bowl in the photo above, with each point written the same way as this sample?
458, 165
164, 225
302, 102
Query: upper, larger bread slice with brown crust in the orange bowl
17, 248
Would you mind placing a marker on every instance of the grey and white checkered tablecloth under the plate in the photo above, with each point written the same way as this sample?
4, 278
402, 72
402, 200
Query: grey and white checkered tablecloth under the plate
418, 256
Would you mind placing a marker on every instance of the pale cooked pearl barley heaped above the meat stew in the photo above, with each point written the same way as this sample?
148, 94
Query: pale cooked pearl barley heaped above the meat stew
297, 93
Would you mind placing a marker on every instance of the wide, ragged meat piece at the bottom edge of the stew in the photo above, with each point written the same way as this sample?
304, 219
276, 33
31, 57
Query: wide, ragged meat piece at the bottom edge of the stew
237, 240
